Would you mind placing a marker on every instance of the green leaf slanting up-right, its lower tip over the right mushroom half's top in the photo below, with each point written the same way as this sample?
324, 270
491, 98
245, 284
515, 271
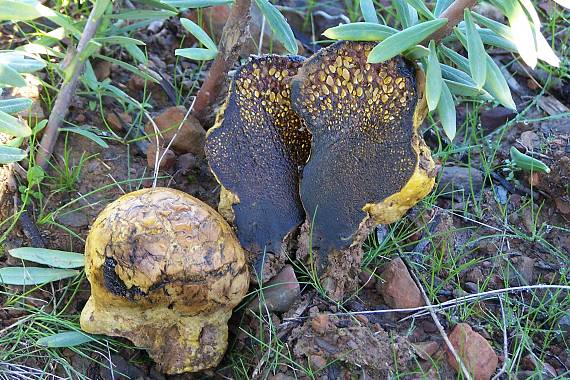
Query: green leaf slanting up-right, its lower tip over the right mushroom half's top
403, 40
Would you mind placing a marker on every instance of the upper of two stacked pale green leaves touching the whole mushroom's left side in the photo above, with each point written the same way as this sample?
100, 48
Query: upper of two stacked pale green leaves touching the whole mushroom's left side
51, 257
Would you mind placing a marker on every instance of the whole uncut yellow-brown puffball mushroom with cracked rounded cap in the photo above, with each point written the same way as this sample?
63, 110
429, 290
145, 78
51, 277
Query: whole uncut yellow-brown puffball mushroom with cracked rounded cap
166, 270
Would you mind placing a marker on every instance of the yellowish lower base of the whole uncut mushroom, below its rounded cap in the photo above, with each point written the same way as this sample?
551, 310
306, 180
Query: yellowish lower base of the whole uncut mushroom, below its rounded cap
177, 342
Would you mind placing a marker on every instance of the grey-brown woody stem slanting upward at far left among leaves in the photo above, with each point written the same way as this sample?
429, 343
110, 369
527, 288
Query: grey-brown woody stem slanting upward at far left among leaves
61, 105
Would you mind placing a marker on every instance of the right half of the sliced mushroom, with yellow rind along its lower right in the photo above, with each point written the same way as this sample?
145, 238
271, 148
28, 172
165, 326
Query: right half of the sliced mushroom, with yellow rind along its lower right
368, 164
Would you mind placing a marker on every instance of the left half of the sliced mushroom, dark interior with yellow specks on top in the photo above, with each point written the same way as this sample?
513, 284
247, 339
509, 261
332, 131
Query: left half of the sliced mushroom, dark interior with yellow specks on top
255, 151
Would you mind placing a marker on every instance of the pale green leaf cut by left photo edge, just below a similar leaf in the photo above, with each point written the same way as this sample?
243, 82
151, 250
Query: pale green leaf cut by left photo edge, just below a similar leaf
33, 275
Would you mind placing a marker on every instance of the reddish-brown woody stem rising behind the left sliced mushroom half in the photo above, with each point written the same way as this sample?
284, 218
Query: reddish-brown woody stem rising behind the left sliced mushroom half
234, 34
